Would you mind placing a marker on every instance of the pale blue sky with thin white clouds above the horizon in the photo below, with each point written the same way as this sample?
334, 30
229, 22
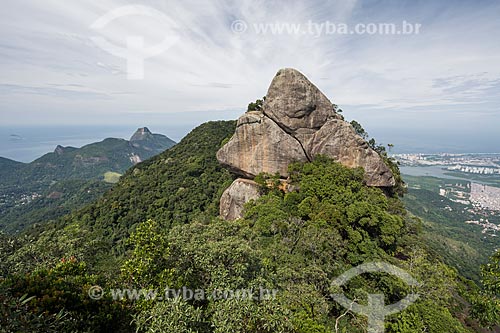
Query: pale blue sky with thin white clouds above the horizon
443, 80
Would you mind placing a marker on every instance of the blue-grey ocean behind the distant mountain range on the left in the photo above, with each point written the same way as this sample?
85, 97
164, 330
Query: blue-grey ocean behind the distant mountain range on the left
25, 144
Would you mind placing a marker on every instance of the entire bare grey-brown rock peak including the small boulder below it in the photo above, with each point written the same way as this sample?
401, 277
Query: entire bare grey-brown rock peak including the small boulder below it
297, 122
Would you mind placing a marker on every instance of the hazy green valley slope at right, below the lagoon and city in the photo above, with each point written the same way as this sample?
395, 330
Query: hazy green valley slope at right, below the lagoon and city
462, 245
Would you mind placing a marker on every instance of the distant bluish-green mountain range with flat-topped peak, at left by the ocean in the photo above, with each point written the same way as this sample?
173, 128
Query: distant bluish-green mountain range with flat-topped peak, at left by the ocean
69, 177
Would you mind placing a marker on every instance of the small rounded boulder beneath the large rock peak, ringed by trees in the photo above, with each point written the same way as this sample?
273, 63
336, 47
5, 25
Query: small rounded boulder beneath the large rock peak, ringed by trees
235, 196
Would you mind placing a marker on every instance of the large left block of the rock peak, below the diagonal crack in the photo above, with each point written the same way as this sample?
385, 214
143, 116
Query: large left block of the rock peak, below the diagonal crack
260, 145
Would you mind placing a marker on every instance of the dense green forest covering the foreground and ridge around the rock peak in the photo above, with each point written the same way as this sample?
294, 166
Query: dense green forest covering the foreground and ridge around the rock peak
158, 228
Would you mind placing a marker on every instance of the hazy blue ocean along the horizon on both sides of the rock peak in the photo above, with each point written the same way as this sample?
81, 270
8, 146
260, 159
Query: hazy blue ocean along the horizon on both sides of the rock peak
28, 143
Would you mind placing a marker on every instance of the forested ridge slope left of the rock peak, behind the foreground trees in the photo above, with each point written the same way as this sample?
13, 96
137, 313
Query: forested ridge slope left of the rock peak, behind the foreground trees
177, 186
